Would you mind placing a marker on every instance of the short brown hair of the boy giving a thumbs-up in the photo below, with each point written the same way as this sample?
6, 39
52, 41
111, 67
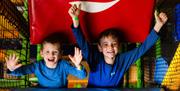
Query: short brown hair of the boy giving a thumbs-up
115, 33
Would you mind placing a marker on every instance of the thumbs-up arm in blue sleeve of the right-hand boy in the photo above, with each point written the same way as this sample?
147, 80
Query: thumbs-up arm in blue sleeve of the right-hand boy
151, 39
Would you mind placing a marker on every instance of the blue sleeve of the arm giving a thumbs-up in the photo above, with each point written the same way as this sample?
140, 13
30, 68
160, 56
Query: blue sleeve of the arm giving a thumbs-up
131, 56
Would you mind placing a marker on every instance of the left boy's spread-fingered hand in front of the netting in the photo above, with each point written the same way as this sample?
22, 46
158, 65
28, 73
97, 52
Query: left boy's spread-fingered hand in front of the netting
12, 62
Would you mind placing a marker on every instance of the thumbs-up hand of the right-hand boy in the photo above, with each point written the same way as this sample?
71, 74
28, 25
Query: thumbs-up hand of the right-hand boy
161, 19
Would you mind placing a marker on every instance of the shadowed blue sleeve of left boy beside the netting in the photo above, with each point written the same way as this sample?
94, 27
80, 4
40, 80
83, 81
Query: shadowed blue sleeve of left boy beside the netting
23, 70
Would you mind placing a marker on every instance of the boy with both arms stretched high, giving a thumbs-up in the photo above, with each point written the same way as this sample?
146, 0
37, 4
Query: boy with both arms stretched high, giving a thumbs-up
107, 65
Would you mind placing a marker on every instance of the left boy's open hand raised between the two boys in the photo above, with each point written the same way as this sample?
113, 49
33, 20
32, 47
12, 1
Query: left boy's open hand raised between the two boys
77, 58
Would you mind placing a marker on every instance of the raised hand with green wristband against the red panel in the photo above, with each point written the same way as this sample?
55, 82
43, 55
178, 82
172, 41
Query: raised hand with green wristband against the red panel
74, 12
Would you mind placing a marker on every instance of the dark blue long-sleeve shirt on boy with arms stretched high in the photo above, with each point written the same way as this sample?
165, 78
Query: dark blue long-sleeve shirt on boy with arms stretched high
105, 75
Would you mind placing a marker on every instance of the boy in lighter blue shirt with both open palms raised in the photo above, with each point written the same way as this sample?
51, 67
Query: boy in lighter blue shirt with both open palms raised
52, 71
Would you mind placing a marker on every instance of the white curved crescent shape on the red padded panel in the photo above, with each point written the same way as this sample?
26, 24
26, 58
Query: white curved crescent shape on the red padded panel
94, 7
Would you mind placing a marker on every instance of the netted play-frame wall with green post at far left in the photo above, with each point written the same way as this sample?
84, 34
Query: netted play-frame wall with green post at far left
14, 38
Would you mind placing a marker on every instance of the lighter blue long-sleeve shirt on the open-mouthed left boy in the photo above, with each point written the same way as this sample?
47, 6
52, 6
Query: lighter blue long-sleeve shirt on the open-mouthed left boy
50, 77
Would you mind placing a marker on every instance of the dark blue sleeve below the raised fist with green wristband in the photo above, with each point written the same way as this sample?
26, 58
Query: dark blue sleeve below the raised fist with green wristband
83, 44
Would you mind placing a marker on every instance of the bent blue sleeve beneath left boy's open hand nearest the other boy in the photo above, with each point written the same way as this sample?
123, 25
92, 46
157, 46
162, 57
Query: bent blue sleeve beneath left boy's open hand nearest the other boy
74, 71
